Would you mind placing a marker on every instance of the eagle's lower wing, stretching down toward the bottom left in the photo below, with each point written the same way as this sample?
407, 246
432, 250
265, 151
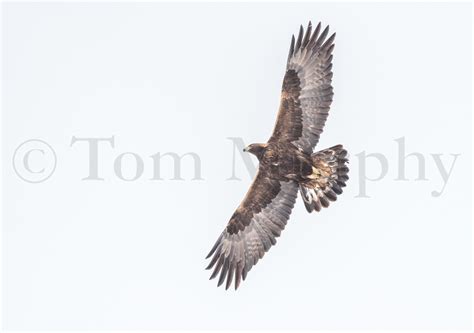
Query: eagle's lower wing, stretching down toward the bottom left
252, 229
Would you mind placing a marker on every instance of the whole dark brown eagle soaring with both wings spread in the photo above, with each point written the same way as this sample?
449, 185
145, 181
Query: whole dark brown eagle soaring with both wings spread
286, 162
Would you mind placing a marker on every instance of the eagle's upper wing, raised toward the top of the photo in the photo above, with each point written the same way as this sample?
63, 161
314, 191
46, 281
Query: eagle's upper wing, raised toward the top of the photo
307, 92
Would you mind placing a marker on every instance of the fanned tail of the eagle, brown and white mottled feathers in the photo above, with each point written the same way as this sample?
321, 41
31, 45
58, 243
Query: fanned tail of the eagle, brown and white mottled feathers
327, 180
